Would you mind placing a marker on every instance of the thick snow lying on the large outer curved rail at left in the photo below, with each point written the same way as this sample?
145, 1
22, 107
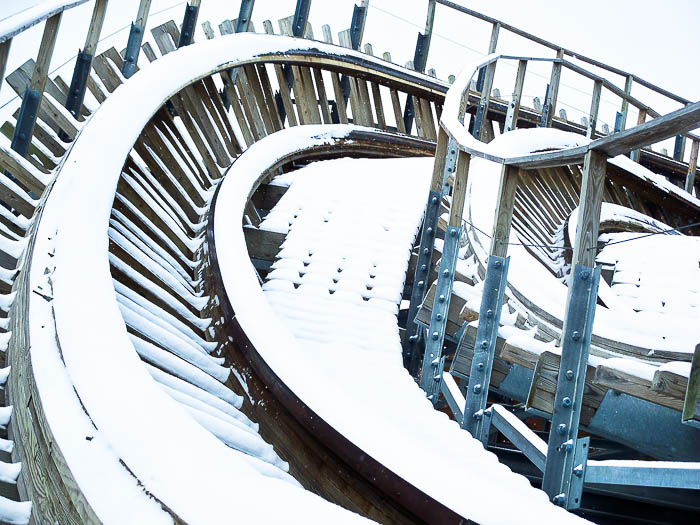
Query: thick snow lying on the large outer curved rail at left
139, 427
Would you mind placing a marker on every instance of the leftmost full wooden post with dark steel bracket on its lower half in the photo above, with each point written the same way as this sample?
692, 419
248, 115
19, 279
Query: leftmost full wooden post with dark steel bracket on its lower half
34, 92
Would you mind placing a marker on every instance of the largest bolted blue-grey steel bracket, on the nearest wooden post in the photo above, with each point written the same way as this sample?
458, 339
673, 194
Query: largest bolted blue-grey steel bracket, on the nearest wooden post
559, 469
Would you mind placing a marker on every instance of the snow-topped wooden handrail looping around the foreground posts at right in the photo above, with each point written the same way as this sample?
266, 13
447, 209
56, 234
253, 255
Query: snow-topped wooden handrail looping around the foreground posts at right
674, 123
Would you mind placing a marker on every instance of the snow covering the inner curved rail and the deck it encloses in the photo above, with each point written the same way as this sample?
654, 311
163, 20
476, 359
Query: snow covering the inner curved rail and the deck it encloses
323, 343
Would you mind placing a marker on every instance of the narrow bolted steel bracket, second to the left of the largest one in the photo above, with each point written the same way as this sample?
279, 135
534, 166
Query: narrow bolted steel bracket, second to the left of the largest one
431, 375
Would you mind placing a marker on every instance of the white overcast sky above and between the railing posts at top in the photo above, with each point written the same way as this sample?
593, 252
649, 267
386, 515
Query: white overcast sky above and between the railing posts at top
654, 40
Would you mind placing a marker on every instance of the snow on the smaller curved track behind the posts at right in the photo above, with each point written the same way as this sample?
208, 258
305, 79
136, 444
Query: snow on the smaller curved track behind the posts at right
528, 278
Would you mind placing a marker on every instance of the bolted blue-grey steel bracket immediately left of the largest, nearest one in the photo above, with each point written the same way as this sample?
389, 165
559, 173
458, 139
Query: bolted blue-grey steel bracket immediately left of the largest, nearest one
485, 344
